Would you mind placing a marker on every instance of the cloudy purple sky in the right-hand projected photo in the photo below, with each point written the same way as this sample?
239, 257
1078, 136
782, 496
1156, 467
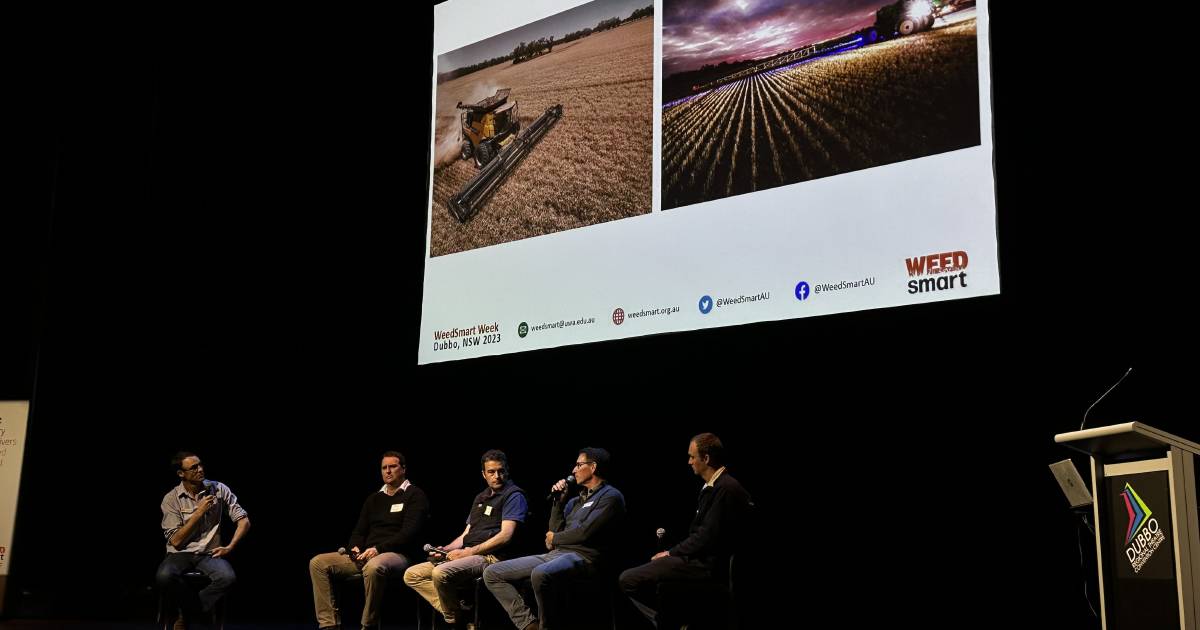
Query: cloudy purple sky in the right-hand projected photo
710, 32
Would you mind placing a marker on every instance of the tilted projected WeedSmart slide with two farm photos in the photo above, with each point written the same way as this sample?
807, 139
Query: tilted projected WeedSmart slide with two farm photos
617, 169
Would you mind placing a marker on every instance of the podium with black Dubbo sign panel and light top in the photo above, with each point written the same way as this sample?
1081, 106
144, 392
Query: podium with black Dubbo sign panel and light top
1148, 525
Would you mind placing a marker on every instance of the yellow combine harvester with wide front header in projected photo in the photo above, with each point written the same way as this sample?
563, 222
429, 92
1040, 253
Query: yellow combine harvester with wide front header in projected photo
491, 134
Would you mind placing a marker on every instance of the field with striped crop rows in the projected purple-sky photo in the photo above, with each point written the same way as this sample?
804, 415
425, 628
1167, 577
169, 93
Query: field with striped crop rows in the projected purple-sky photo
879, 105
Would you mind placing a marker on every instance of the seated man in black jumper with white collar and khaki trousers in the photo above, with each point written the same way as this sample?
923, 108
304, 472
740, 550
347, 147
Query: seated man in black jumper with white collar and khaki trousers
382, 543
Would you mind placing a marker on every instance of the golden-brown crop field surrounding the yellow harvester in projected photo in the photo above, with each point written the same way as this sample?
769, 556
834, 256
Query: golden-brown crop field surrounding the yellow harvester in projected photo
593, 166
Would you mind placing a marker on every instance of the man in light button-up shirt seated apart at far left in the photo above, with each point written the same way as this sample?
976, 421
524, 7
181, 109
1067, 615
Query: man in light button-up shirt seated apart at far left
191, 523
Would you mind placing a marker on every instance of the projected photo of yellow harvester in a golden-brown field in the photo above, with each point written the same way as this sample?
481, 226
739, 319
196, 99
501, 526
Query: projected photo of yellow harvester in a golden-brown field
545, 129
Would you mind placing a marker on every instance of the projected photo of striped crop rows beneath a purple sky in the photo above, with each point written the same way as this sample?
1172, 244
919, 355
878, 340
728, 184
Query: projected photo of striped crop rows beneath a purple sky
760, 94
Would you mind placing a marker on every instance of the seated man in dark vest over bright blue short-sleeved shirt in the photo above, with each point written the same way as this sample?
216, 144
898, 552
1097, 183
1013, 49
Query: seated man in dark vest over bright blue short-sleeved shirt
491, 524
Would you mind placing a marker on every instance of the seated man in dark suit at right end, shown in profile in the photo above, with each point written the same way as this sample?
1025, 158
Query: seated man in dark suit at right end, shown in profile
704, 555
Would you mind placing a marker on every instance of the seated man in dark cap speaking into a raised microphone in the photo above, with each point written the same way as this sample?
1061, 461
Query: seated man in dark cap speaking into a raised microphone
580, 535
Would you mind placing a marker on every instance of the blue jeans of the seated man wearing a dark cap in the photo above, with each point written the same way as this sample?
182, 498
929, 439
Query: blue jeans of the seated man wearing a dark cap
550, 573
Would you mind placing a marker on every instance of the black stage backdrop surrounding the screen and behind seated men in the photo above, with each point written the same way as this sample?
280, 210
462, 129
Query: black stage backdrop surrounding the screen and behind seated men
221, 251
